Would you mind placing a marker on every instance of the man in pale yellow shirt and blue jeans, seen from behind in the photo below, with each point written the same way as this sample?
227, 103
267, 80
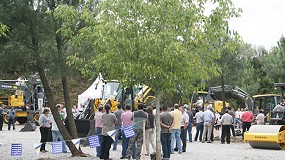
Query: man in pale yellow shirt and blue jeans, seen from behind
175, 131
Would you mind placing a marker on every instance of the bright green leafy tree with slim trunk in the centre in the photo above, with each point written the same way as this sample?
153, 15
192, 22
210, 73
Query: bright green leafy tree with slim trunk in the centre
162, 44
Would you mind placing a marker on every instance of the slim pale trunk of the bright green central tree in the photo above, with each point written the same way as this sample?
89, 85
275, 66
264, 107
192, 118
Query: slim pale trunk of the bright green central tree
157, 129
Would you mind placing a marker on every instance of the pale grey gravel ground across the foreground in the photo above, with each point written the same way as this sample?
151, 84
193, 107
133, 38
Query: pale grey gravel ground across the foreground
237, 150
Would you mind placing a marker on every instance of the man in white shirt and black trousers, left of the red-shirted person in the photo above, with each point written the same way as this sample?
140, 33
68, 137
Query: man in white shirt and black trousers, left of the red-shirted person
226, 122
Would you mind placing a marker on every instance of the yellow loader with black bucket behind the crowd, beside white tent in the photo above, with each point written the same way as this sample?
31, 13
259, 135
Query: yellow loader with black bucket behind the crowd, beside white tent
113, 94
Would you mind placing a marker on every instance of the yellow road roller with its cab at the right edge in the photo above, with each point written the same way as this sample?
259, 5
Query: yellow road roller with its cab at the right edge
269, 136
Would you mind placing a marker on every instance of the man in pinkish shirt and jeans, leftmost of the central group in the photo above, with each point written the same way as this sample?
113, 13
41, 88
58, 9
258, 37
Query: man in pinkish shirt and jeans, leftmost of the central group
98, 128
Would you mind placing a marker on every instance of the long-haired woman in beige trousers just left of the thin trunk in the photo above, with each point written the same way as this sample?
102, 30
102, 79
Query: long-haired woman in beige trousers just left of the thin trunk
149, 130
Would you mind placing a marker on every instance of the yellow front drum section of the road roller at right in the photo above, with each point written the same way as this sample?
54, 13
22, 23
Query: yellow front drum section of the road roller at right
266, 136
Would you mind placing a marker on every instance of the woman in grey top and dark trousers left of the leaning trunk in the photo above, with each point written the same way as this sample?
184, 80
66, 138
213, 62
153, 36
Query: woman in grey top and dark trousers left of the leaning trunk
45, 124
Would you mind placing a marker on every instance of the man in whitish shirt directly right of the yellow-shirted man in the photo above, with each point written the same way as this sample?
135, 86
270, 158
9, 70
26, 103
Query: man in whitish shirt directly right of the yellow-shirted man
183, 127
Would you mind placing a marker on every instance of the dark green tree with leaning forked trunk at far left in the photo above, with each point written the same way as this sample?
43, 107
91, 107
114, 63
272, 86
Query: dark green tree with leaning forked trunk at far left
36, 32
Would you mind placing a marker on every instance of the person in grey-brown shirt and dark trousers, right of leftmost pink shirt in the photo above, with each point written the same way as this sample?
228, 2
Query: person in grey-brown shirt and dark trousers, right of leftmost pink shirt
109, 121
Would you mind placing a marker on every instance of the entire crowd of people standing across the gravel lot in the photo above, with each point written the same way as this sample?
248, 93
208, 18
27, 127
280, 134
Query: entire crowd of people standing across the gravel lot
176, 127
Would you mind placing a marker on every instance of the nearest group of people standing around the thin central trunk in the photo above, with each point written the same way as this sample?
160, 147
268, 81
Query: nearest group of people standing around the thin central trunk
175, 122
